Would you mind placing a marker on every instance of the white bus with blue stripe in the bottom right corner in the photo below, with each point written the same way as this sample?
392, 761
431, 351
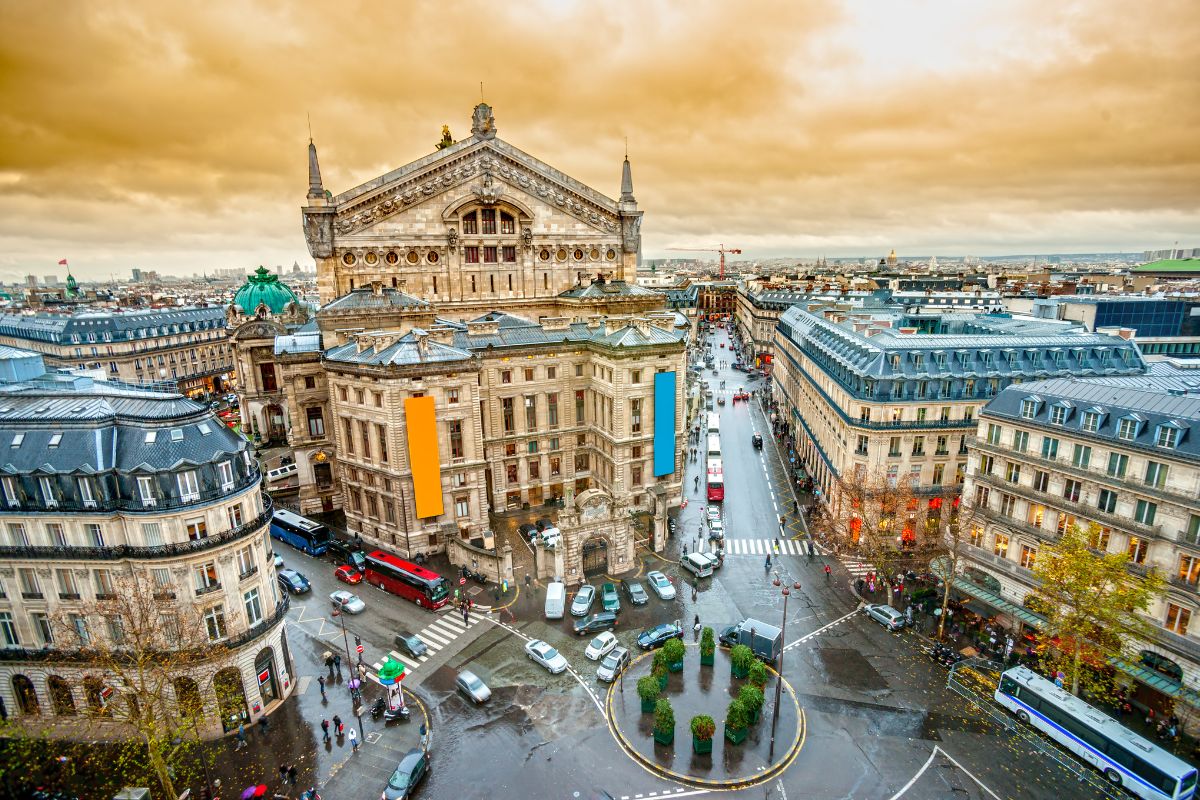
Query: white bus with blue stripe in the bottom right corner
1124, 757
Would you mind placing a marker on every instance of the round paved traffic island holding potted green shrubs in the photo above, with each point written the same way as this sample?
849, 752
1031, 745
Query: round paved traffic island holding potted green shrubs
705, 690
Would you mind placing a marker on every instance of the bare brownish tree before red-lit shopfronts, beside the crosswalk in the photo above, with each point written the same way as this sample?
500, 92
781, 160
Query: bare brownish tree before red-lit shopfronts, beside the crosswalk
891, 525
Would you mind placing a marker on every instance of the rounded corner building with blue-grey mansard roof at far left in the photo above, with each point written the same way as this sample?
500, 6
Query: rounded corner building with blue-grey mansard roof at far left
101, 485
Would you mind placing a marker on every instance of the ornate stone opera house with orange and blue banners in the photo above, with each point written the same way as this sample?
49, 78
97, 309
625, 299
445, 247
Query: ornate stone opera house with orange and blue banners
483, 350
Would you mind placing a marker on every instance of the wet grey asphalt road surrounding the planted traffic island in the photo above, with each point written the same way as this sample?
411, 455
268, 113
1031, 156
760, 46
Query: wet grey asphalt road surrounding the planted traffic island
881, 723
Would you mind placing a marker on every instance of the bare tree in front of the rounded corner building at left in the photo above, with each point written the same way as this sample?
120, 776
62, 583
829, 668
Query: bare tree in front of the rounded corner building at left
142, 655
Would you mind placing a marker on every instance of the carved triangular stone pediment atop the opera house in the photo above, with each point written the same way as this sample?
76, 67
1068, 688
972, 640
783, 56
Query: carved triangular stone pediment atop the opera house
487, 166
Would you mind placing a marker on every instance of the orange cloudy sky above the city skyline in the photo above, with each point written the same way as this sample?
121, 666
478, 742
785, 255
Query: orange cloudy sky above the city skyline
172, 136
